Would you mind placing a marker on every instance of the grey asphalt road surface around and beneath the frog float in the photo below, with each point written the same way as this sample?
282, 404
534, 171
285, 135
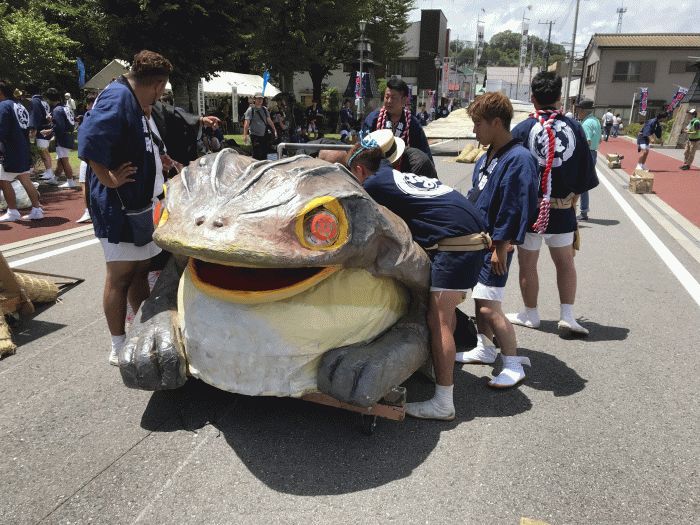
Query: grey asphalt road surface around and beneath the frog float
604, 430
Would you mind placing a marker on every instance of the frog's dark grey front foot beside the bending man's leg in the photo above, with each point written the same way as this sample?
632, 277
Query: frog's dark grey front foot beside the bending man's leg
362, 374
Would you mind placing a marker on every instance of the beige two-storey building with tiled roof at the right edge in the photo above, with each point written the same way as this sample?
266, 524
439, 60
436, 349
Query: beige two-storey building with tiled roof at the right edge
617, 65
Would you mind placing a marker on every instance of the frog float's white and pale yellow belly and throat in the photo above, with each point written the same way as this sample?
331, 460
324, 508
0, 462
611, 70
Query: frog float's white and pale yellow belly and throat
275, 348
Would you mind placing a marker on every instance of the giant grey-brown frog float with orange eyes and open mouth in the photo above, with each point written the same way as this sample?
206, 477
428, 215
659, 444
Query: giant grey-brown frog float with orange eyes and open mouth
287, 279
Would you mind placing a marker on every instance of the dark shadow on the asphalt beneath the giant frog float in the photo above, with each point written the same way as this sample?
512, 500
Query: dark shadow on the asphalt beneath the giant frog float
301, 448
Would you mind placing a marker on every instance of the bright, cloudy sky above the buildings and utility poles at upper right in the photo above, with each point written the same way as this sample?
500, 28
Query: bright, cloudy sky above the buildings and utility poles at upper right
595, 16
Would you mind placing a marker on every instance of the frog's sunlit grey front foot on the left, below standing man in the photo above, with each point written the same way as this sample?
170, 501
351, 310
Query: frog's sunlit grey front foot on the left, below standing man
152, 358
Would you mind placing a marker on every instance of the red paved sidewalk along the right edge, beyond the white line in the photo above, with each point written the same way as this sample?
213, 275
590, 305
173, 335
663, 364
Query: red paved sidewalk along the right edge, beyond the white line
679, 189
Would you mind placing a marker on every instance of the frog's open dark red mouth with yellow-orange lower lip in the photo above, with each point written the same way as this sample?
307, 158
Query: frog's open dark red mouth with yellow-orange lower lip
253, 285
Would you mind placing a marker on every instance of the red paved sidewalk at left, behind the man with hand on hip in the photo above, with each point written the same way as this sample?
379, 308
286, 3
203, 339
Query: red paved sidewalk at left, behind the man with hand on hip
61, 209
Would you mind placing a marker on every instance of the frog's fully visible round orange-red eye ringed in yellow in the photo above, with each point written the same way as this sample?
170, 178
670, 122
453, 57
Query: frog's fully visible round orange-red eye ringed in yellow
322, 224
